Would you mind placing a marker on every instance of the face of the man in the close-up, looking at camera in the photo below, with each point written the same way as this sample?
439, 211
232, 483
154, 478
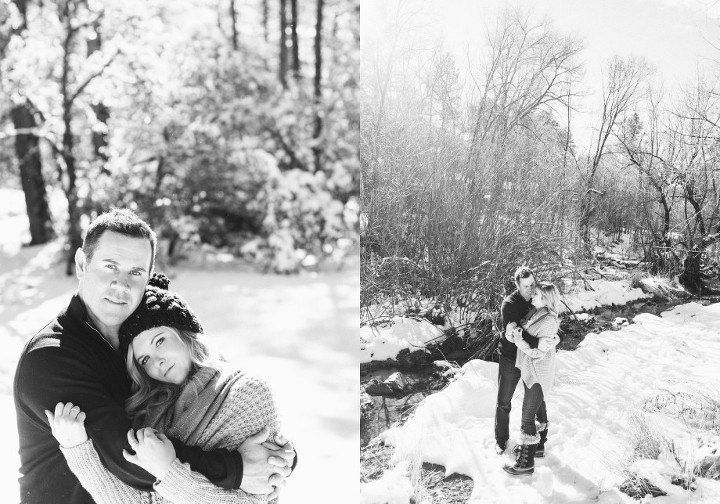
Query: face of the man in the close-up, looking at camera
113, 281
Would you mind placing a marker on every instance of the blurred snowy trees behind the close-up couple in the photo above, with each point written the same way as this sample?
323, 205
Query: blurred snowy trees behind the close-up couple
224, 123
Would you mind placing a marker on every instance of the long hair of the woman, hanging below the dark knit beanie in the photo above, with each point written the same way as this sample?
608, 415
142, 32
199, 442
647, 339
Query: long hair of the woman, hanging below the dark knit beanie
149, 393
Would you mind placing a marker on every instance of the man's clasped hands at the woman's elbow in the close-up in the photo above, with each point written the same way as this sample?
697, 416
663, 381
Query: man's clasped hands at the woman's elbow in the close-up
261, 462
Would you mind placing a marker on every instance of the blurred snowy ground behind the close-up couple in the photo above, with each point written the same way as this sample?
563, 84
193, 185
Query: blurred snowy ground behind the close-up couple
298, 332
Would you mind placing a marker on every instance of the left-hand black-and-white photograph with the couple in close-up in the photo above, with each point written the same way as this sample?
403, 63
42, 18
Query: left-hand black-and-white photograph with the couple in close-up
179, 251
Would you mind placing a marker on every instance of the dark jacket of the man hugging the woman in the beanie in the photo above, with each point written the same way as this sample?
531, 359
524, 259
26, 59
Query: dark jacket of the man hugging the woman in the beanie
69, 361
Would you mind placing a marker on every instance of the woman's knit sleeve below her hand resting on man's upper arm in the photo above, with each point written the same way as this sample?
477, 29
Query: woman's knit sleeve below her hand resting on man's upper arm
103, 486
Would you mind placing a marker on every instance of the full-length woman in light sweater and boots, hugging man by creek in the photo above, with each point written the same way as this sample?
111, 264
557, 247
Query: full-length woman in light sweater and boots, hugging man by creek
537, 370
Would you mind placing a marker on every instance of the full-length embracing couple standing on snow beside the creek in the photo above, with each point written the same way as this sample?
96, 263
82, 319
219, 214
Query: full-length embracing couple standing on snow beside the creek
527, 351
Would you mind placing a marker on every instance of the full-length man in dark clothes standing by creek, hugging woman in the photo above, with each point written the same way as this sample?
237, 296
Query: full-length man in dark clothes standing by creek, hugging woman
514, 308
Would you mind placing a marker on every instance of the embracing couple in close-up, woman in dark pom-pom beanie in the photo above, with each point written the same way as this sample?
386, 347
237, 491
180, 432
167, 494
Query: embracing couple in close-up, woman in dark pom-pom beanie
119, 399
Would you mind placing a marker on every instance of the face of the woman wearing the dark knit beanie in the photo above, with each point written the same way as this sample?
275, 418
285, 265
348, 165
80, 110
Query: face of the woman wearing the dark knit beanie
162, 354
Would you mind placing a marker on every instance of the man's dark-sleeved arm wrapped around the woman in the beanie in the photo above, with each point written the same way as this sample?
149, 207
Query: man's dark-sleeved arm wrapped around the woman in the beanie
50, 375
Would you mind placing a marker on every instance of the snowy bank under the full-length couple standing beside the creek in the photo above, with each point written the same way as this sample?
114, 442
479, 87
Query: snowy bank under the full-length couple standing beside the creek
657, 376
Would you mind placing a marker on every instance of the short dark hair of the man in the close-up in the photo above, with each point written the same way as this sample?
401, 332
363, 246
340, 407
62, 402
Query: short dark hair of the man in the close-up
122, 221
